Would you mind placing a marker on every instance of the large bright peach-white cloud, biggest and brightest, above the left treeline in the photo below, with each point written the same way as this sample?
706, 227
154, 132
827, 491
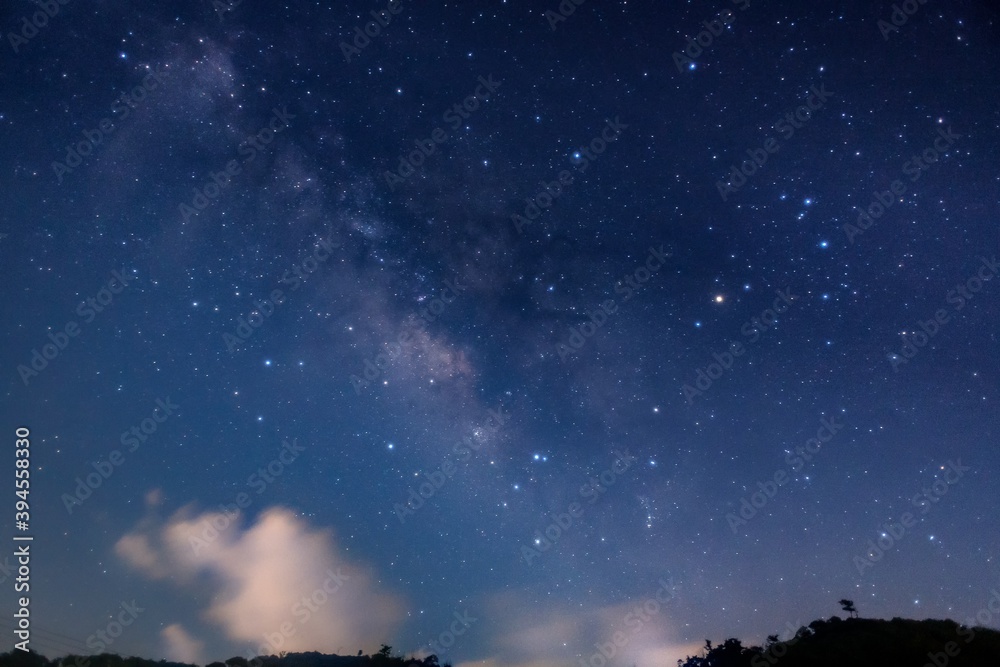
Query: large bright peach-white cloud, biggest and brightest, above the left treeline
278, 579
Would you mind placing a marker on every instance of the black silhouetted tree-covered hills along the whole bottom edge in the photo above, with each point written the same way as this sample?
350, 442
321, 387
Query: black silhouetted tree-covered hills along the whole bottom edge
836, 642
